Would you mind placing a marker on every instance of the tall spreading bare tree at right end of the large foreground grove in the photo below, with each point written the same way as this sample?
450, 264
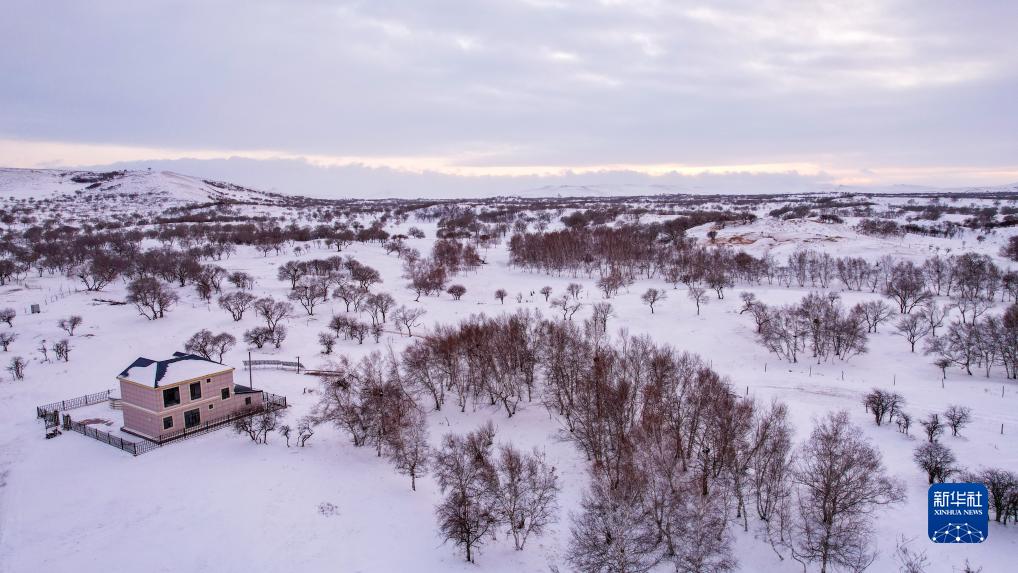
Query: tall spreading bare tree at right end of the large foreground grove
841, 481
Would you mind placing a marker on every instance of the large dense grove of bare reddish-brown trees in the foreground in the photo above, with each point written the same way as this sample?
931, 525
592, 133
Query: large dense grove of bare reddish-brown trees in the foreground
676, 456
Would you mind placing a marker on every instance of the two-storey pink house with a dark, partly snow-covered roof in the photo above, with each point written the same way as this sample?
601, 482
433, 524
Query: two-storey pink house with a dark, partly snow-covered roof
162, 399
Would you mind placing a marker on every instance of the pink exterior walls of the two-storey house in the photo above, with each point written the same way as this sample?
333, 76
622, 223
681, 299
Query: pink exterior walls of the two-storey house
144, 412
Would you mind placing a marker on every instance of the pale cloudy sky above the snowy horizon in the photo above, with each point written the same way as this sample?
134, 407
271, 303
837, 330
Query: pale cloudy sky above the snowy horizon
529, 91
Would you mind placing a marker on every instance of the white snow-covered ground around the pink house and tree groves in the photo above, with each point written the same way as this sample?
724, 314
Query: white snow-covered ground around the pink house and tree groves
220, 503
